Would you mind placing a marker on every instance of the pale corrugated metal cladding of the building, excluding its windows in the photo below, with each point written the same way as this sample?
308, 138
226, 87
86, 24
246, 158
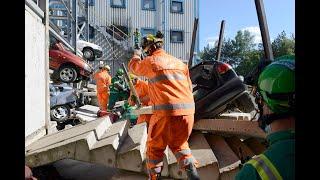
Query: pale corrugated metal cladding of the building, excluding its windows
162, 19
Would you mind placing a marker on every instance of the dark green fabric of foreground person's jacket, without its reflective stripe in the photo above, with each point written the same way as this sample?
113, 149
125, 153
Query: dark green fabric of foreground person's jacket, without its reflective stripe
281, 154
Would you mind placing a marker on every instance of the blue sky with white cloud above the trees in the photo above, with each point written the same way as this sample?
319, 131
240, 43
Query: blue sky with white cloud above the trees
241, 14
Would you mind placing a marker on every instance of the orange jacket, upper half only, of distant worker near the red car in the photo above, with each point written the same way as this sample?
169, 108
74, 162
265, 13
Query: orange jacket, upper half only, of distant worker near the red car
103, 80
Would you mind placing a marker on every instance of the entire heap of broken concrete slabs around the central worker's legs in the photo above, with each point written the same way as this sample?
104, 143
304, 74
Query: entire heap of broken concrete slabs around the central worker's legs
215, 143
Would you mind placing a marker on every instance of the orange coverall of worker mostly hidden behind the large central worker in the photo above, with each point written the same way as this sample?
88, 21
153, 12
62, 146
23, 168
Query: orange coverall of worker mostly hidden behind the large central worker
143, 93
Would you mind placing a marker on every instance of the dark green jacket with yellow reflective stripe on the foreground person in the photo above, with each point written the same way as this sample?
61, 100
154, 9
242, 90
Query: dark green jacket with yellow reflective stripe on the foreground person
280, 157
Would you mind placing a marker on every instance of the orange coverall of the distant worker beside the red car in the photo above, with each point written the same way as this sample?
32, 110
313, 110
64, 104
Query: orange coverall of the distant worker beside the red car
103, 80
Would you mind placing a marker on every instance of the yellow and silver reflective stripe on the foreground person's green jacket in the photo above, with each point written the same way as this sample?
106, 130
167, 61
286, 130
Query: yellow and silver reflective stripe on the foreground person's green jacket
265, 168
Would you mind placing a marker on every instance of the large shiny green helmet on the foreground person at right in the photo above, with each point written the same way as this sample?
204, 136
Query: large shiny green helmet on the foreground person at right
276, 85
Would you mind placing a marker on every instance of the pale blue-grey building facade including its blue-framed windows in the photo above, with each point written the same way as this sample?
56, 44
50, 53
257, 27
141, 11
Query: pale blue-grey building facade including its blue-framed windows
173, 17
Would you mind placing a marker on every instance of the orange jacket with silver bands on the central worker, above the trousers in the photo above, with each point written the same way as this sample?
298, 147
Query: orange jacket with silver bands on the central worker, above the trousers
170, 86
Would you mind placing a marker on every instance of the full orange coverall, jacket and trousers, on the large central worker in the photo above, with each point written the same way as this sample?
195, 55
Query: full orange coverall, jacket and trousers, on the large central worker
170, 91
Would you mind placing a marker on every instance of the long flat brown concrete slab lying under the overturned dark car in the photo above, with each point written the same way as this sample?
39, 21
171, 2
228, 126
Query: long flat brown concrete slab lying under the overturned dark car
227, 126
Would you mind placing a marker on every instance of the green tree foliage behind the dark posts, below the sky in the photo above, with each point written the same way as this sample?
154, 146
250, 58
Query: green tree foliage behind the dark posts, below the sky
243, 54
